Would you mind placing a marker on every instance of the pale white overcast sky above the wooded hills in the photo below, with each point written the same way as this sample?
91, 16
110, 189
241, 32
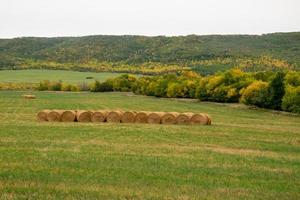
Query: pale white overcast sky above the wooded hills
50, 18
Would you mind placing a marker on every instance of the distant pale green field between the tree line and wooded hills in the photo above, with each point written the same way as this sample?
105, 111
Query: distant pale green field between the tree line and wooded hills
35, 76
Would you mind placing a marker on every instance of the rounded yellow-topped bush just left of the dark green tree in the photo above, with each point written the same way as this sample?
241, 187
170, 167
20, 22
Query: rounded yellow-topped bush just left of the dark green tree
256, 94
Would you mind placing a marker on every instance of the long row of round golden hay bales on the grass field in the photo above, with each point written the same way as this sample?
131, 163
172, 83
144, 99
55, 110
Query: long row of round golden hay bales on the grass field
124, 117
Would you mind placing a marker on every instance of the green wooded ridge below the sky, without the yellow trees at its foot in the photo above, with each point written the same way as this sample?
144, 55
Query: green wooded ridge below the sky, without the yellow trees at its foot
135, 50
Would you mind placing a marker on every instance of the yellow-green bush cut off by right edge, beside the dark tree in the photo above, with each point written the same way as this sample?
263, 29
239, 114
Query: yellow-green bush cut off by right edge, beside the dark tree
291, 99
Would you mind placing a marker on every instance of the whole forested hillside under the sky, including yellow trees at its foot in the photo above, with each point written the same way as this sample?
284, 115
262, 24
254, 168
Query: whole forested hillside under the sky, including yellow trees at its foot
206, 54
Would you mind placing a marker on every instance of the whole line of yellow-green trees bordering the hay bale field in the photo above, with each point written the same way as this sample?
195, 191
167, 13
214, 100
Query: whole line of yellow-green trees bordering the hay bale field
273, 90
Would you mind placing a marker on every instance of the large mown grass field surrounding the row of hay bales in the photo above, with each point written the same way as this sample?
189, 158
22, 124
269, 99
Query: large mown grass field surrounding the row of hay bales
245, 154
